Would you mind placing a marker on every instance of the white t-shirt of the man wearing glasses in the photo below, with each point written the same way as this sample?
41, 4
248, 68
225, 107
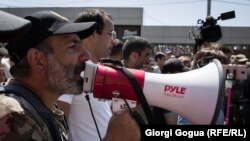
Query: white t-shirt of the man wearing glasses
81, 122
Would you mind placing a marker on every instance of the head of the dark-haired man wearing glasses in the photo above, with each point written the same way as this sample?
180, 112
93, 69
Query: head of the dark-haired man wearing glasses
105, 36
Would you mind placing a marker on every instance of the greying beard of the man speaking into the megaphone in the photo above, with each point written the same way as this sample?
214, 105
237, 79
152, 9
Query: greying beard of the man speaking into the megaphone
64, 79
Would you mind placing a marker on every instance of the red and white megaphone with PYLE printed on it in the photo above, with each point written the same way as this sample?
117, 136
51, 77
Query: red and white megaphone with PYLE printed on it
196, 95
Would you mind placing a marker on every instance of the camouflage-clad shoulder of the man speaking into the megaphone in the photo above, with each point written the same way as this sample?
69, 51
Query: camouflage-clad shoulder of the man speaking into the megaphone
16, 121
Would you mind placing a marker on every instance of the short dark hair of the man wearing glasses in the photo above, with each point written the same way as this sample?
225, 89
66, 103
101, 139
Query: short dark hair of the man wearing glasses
93, 15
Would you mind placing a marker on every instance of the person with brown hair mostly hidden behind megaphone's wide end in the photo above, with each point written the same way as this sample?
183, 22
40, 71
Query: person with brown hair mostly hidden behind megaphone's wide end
203, 57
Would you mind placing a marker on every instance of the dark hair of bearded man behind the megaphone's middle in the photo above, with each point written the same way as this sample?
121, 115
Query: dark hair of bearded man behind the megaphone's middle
135, 44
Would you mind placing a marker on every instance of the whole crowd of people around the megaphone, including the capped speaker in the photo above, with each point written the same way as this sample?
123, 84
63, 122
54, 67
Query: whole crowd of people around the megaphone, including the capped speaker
46, 59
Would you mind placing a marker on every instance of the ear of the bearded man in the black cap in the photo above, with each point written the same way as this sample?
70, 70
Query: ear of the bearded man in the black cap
37, 60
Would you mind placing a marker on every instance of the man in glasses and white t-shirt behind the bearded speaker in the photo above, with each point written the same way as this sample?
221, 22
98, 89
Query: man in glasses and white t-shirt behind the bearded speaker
82, 125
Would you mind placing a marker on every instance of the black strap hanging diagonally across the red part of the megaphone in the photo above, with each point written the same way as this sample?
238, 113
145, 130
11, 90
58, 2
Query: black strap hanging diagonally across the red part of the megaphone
140, 94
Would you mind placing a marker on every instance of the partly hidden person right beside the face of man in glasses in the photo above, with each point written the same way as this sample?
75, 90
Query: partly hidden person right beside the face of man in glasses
116, 51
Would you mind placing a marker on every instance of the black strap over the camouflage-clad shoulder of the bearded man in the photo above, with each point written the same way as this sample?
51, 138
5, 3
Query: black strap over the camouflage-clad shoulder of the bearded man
38, 105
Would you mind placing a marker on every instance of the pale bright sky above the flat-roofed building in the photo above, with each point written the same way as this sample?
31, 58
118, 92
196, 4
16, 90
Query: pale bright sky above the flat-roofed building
158, 12
